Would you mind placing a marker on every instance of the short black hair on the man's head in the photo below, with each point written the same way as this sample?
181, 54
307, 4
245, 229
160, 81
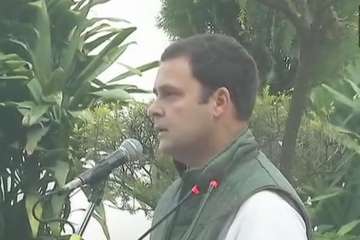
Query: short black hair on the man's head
220, 61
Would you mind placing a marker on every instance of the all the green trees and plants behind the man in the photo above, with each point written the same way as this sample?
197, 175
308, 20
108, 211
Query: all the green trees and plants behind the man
57, 116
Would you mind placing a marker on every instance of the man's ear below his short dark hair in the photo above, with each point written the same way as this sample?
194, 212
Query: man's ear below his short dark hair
221, 102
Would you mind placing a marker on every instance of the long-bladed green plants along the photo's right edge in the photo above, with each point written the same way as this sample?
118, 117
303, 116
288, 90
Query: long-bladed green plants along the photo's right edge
337, 207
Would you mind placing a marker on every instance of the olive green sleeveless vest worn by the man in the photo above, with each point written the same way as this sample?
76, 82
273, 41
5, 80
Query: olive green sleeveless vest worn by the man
242, 170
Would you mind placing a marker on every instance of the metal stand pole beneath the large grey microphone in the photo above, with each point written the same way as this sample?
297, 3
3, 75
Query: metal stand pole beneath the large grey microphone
96, 195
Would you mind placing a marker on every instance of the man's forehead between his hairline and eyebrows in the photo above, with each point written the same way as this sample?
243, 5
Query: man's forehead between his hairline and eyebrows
175, 72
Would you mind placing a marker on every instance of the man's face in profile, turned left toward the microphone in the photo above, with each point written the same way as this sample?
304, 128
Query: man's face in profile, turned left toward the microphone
184, 122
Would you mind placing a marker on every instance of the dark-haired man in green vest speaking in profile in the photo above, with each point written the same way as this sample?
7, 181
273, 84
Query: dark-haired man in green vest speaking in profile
205, 93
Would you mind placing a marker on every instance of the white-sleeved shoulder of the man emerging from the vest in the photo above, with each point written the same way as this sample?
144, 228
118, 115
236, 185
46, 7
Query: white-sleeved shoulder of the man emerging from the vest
266, 215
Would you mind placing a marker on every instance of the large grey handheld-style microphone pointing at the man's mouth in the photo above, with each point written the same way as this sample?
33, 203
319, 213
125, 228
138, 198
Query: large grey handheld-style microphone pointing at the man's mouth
129, 150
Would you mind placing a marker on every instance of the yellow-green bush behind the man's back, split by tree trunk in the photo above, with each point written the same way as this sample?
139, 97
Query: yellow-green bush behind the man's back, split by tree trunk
318, 153
